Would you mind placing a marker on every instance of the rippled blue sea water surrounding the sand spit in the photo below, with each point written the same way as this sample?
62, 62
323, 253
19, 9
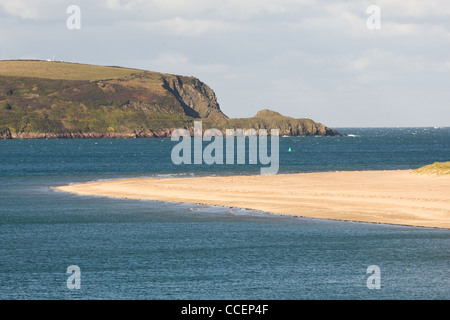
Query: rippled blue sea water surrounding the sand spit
127, 249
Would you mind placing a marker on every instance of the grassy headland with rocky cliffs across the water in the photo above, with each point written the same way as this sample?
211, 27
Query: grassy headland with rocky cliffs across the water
41, 99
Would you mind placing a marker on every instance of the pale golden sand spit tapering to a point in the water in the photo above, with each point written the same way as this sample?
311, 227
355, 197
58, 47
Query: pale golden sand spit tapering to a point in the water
392, 197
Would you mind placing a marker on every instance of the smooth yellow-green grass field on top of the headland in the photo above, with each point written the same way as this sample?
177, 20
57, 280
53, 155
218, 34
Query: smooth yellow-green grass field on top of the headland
62, 70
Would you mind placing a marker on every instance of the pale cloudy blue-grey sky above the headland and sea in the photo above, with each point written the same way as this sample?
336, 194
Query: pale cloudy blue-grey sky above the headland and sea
352, 63
